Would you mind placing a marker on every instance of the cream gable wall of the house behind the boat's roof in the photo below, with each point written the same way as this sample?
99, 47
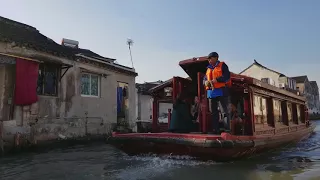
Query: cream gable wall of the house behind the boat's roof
259, 73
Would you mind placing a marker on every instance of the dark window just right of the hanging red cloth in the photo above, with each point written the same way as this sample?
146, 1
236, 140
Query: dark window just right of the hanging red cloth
48, 79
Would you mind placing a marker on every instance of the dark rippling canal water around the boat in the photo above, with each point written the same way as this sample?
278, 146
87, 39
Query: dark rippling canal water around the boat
103, 162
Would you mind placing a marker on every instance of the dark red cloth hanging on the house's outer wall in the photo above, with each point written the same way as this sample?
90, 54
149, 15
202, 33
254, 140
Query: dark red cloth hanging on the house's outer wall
26, 82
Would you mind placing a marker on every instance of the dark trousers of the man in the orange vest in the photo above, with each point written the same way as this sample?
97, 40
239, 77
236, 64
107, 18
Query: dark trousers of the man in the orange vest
225, 110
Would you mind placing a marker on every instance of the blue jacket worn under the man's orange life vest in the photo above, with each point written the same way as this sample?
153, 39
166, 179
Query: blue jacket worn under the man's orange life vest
224, 78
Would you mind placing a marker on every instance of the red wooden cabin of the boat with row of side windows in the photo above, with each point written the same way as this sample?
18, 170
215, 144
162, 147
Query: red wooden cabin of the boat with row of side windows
257, 108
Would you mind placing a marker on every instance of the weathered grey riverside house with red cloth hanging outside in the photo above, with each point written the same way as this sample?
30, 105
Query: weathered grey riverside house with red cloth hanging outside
50, 90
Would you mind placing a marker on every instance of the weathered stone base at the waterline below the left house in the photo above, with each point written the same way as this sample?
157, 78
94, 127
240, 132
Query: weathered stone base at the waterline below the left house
46, 134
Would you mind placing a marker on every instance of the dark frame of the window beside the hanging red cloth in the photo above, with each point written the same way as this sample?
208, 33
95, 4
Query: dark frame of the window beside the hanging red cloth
42, 67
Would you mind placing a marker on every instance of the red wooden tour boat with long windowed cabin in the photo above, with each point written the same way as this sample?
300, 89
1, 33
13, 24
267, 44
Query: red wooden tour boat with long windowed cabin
271, 118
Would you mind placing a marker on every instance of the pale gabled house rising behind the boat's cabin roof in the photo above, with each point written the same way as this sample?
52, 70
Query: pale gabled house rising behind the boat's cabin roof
270, 76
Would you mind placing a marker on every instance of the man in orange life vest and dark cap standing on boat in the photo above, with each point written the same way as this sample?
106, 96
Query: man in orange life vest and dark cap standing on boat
217, 85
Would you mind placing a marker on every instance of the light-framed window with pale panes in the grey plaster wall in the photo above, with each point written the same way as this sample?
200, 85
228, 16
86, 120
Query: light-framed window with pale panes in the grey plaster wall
90, 85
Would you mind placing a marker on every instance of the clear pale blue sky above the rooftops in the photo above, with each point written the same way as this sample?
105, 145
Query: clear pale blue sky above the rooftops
282, 35
